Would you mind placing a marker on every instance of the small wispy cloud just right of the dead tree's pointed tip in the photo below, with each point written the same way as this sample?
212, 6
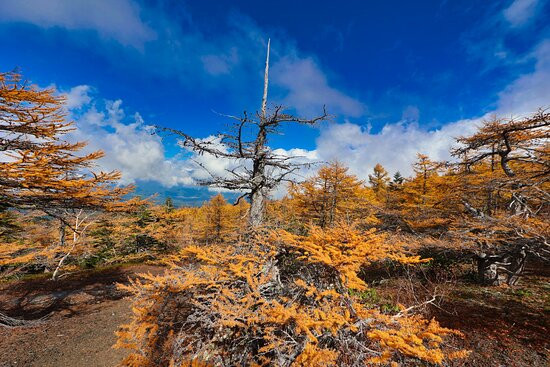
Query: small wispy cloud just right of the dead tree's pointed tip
308, 89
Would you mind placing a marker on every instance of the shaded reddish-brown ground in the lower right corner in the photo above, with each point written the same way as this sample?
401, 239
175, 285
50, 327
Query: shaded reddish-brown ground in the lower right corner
502, 326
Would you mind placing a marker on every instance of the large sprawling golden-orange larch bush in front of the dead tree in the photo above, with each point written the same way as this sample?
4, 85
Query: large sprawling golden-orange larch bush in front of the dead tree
275, 300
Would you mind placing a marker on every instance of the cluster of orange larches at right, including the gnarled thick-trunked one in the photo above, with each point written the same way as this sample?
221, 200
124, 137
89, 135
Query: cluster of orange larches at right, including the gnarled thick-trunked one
494, 201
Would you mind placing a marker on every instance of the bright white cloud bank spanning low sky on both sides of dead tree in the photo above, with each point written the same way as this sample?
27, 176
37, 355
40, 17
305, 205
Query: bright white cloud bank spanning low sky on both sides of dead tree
131, 148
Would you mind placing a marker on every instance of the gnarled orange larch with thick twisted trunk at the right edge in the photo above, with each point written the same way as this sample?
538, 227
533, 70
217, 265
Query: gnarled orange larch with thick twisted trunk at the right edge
506, 193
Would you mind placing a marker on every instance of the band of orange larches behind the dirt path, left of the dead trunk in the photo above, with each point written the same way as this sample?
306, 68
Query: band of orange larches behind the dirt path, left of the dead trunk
30, 241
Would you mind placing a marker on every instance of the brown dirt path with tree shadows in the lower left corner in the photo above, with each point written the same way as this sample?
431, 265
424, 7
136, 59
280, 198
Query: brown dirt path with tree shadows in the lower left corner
84, 312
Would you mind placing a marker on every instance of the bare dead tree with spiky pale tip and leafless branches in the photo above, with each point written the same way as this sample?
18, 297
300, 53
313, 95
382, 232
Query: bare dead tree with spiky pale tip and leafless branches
260, 169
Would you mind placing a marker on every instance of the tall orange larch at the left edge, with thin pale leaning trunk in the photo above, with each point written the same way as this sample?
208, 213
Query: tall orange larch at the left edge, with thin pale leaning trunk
40, 169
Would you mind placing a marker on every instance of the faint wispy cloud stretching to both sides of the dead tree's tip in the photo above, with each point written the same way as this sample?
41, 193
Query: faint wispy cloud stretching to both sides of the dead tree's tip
297, 80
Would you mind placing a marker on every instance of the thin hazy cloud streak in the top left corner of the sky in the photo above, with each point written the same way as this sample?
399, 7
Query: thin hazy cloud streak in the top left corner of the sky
114, 19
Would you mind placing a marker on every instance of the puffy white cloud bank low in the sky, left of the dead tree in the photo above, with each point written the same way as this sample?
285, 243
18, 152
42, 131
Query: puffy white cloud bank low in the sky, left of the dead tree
132, 148
